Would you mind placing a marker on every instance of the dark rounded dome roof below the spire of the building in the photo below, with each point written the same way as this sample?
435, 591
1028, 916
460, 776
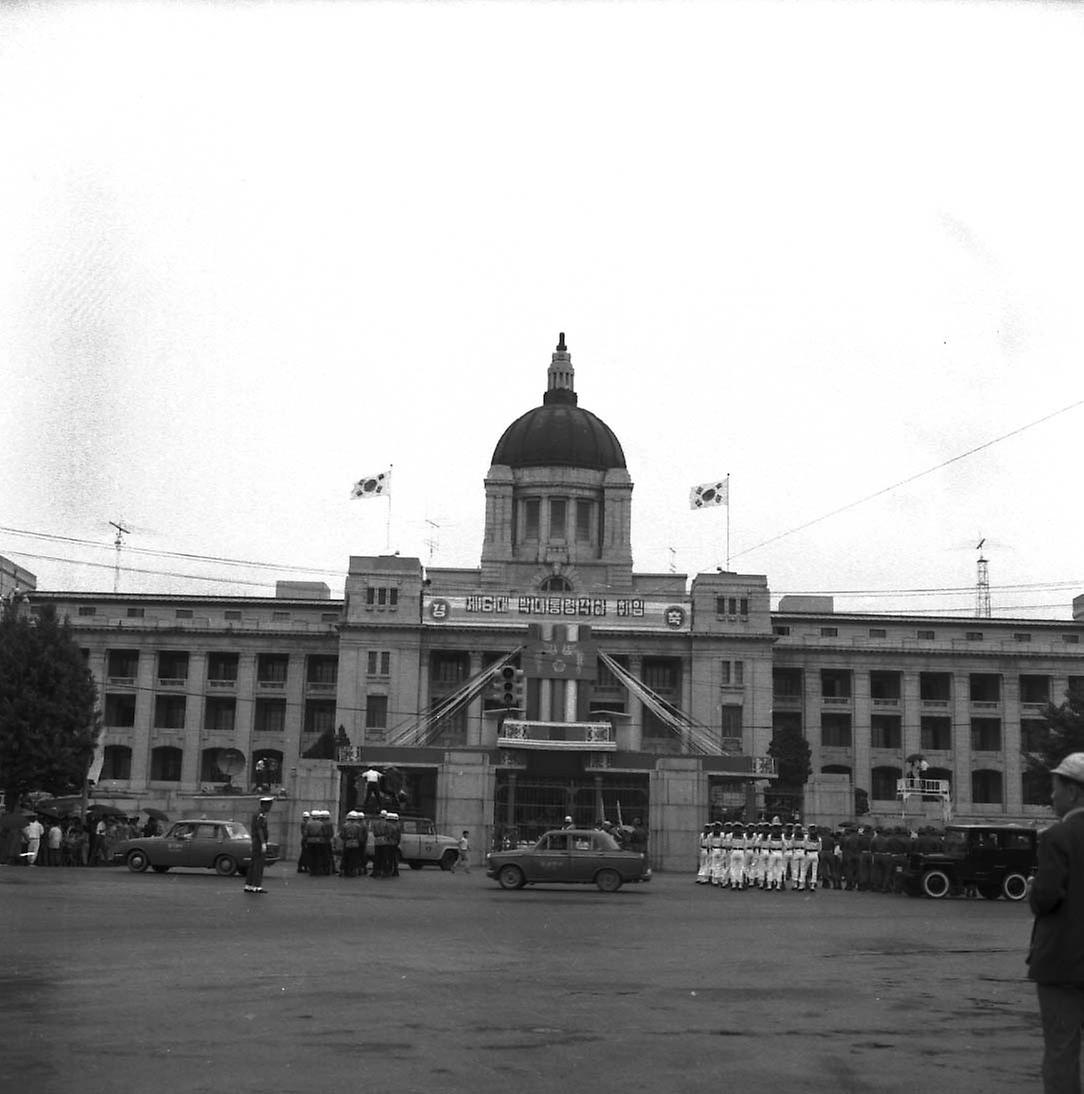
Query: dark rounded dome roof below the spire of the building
560, 434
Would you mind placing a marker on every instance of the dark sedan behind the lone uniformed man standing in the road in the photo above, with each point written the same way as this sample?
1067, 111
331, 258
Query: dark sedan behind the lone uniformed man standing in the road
223, 846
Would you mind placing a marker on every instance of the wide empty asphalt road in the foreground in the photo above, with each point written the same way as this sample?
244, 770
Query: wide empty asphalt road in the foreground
145, 984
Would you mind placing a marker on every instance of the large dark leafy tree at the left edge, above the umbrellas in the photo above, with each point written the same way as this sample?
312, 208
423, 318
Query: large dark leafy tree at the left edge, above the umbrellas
49, 706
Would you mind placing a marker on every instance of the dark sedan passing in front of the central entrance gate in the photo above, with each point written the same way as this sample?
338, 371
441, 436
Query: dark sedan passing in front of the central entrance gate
574, 856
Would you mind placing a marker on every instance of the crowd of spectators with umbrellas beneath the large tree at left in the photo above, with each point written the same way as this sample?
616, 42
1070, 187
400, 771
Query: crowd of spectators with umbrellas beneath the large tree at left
48, 841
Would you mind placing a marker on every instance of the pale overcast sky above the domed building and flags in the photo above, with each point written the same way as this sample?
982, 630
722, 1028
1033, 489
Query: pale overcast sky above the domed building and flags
252, 252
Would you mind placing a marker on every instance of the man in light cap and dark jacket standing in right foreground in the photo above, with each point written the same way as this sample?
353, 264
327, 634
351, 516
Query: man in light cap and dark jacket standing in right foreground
1056, 958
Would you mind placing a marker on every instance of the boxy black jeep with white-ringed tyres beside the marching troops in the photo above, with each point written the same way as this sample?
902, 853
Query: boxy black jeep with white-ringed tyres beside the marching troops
994, 860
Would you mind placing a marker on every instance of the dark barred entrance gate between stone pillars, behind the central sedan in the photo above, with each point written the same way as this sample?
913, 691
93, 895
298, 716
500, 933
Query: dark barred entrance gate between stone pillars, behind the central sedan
528, 807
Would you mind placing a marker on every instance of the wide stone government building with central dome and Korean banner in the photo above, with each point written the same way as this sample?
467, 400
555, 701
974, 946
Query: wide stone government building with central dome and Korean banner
644, 695
